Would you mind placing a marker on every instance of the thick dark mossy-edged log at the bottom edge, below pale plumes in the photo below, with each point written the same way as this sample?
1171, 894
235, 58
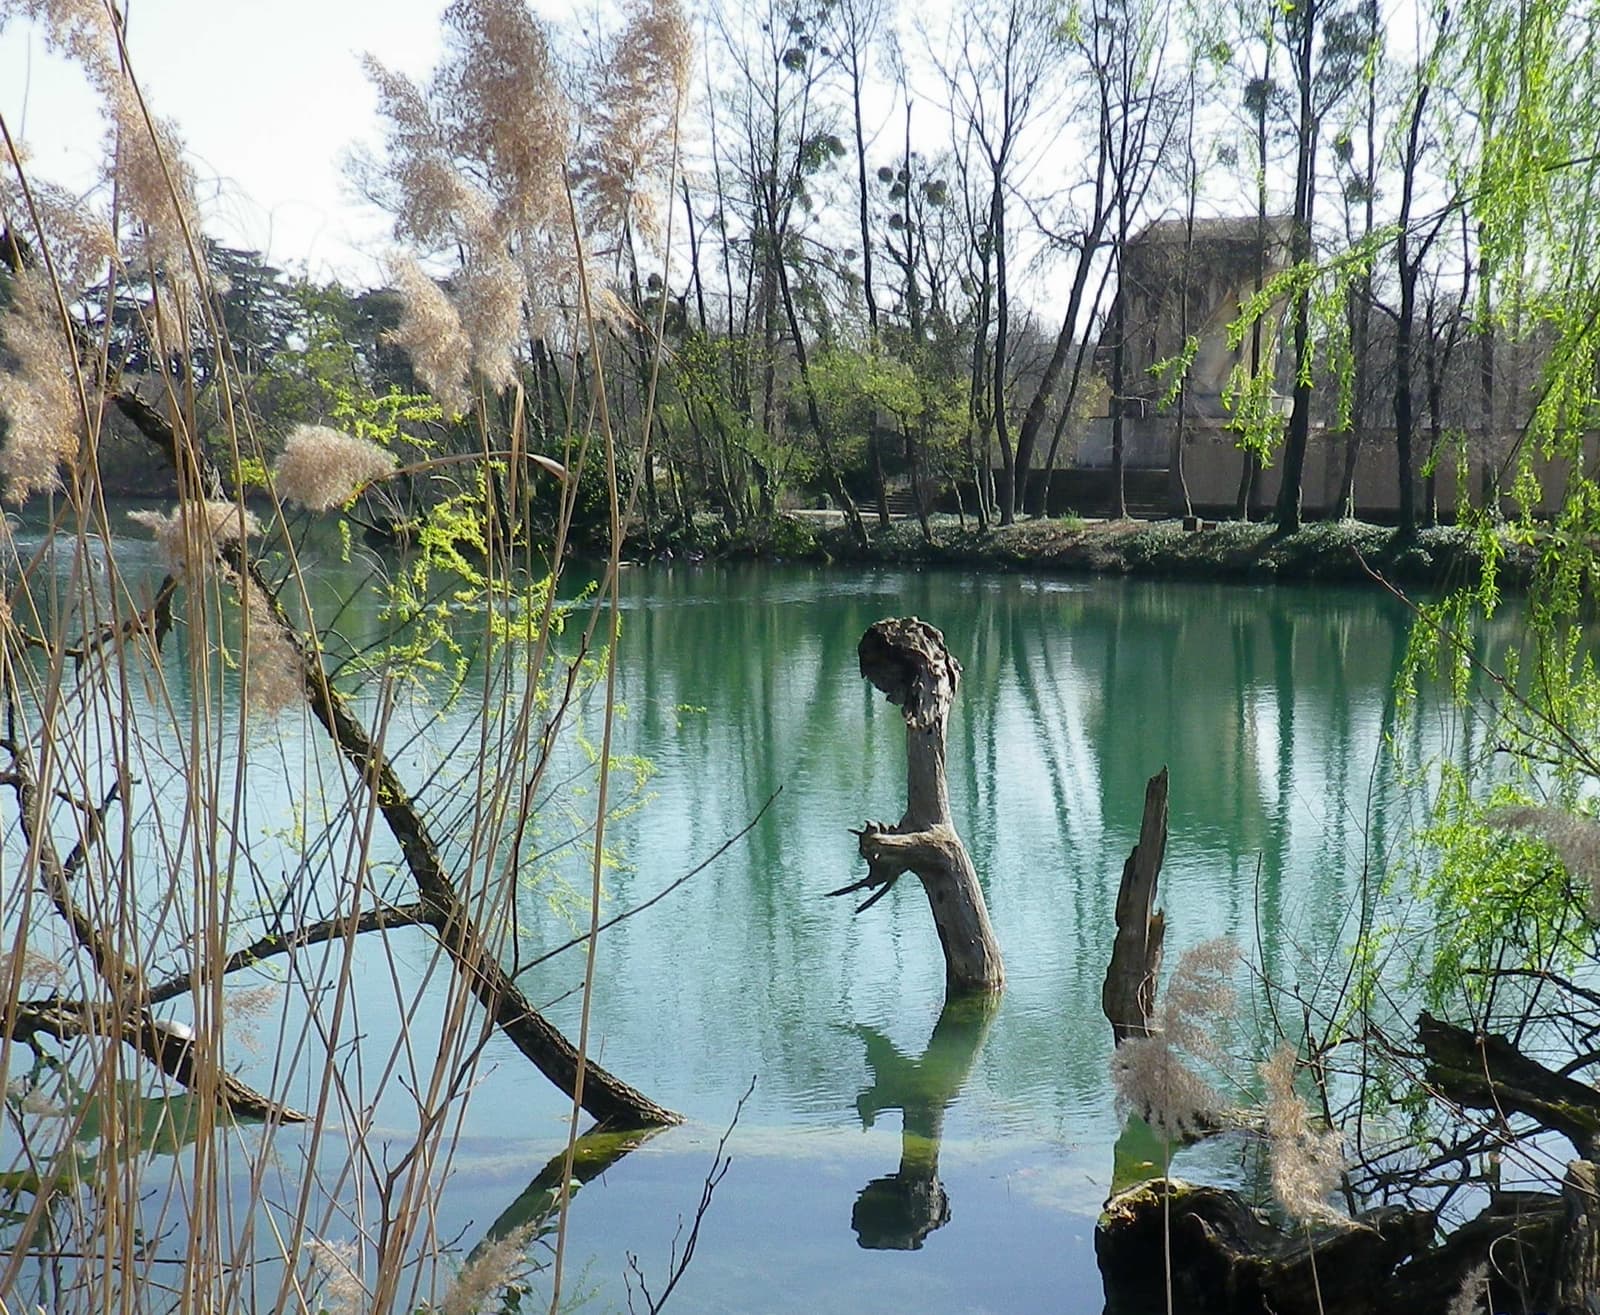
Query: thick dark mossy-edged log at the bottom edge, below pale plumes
1226, 1260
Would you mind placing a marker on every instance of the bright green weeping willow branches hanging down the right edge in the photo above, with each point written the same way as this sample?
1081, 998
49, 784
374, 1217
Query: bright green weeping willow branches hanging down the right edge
1511, 884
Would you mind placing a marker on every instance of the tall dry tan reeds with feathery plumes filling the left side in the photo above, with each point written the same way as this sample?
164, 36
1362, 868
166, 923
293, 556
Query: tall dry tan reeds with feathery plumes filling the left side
244, 996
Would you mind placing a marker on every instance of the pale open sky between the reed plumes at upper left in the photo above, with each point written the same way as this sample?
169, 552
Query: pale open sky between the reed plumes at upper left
268, 97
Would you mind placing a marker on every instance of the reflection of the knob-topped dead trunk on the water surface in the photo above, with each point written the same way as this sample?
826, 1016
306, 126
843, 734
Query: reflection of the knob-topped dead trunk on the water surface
897, 1213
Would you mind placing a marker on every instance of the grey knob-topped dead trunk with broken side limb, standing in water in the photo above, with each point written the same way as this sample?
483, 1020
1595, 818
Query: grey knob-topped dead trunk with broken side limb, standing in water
906, 660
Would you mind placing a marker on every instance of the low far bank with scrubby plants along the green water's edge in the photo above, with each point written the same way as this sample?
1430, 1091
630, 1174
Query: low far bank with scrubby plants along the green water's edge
1338, 551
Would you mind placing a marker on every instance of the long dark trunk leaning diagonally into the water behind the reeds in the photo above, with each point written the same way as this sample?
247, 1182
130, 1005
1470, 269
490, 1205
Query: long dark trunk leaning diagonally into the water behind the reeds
607, 1098
